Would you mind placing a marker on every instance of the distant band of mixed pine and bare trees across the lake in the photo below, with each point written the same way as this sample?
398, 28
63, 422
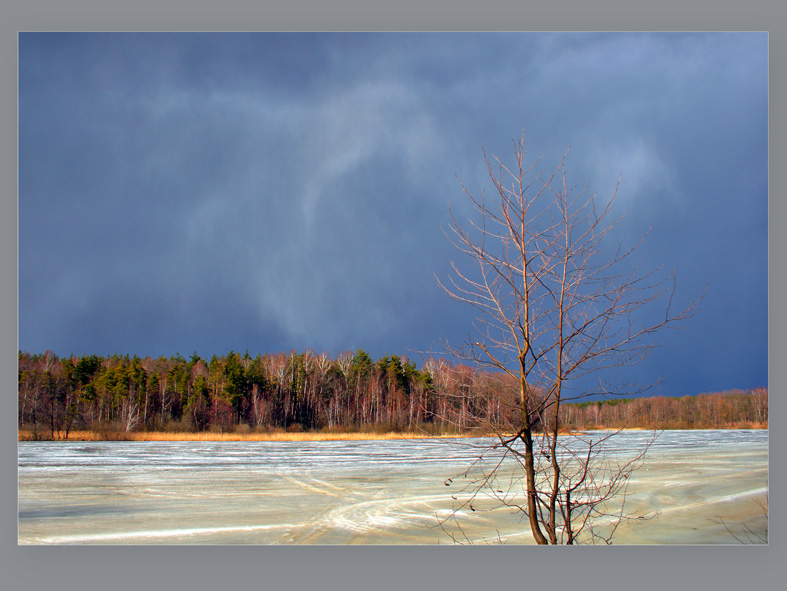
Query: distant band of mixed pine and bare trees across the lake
308, 391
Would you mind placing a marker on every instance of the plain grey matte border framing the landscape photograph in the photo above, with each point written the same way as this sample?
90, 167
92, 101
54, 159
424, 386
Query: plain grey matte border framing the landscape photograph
65, 568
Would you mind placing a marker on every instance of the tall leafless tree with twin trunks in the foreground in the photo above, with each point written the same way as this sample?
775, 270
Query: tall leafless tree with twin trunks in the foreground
554, 306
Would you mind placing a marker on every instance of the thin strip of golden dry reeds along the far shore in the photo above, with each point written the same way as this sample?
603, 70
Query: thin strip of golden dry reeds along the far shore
27, 435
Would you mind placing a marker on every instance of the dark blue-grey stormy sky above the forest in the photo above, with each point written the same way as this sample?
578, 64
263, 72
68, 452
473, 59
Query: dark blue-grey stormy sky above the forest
269, 192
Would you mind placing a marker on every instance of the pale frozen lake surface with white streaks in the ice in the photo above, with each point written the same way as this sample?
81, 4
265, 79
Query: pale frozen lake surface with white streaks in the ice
703, 484
